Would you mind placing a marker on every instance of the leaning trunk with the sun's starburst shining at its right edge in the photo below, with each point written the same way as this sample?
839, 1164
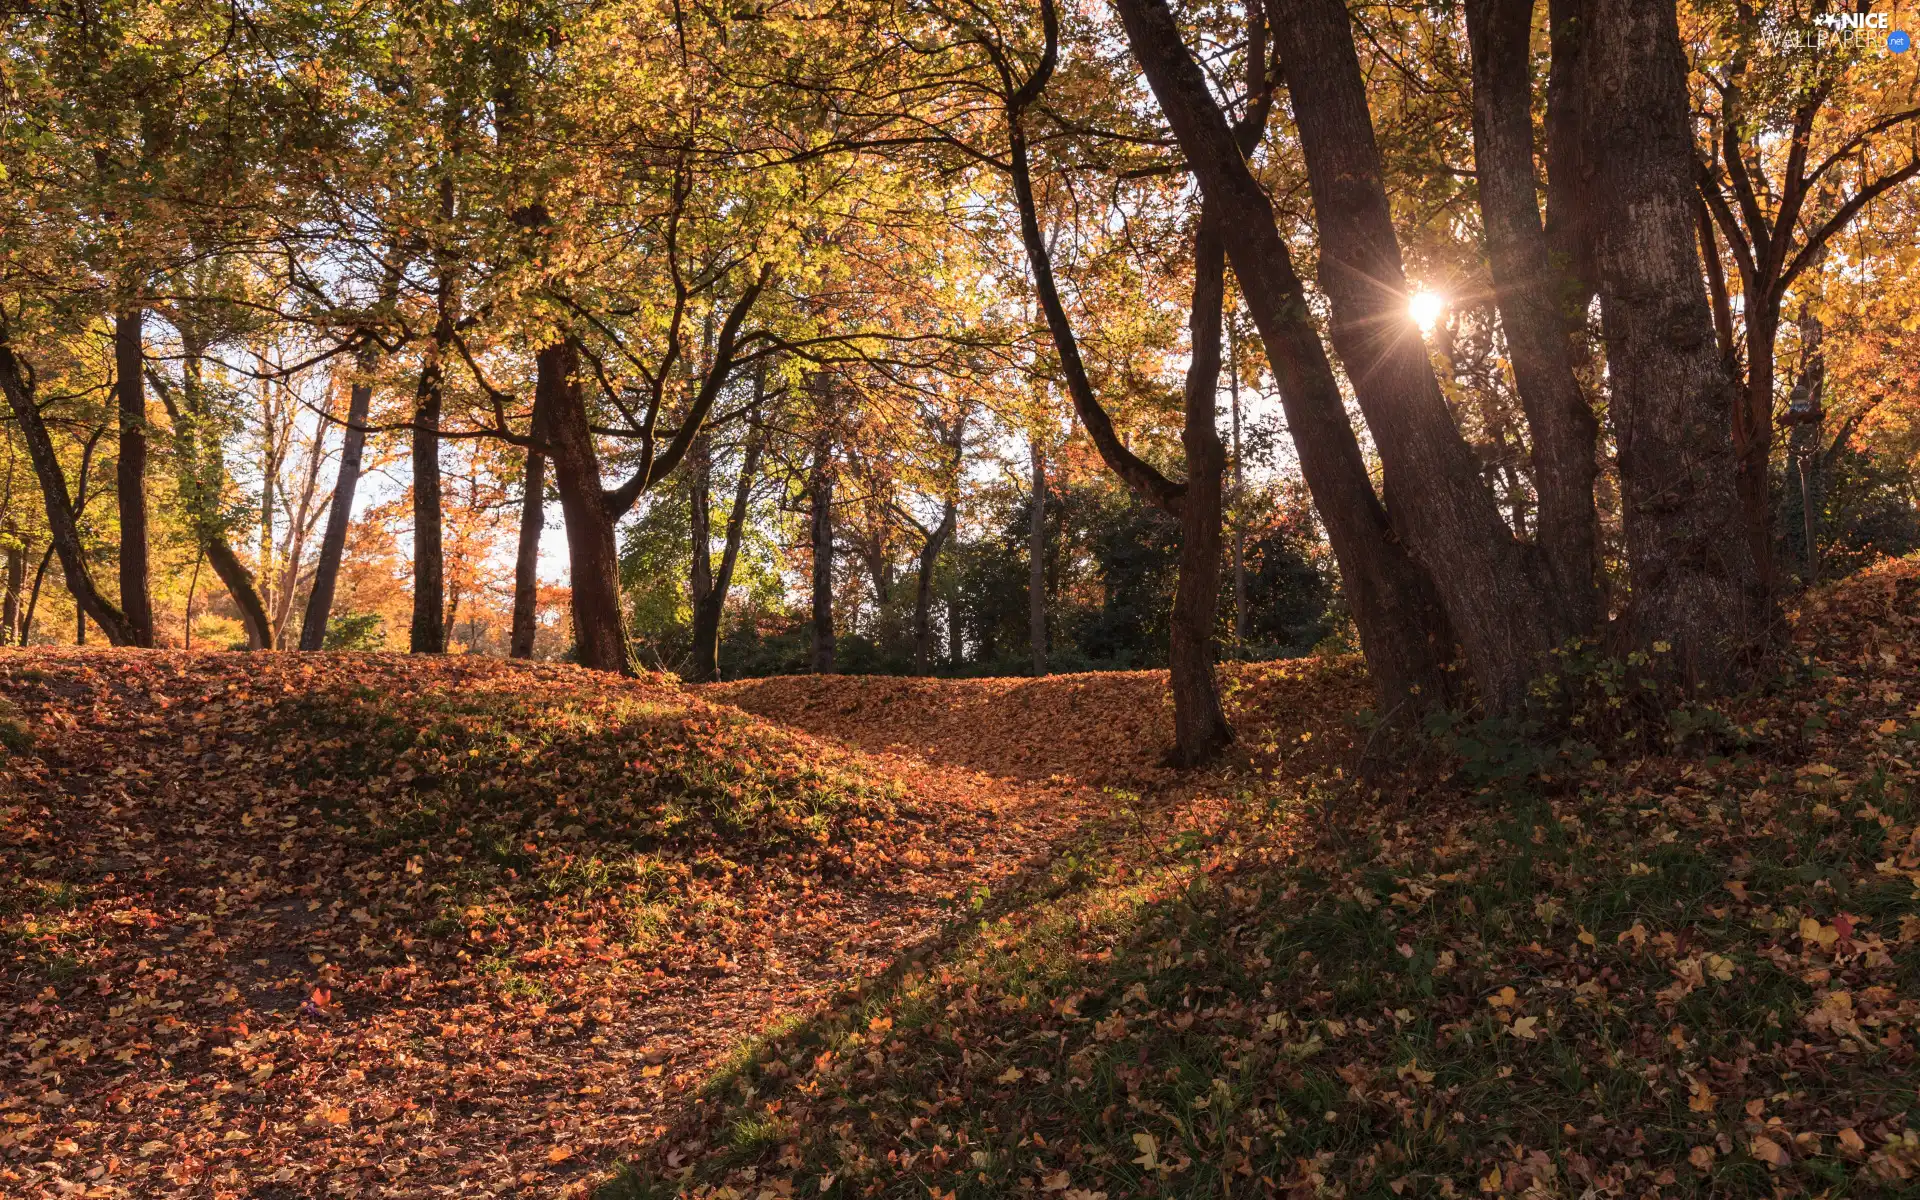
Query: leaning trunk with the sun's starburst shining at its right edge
1437, 498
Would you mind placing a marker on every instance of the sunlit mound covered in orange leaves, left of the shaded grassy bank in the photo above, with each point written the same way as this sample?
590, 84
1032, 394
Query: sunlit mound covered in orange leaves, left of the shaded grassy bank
304, 926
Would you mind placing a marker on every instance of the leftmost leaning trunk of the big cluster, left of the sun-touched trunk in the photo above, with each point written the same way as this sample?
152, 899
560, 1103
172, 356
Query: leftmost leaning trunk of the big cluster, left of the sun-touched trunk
1401, 625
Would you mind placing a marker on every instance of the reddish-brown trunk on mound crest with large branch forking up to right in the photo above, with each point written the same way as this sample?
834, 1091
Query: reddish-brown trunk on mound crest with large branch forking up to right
592, 552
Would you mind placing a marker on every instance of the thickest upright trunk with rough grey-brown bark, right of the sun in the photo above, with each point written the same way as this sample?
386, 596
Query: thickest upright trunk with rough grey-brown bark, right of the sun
1691, 564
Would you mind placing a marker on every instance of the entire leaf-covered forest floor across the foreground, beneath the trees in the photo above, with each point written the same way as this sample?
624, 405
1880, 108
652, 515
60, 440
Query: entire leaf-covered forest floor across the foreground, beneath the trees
368, 926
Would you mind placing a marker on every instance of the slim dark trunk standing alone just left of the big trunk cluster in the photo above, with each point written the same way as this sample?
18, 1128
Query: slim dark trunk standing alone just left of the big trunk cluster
1199, 723
